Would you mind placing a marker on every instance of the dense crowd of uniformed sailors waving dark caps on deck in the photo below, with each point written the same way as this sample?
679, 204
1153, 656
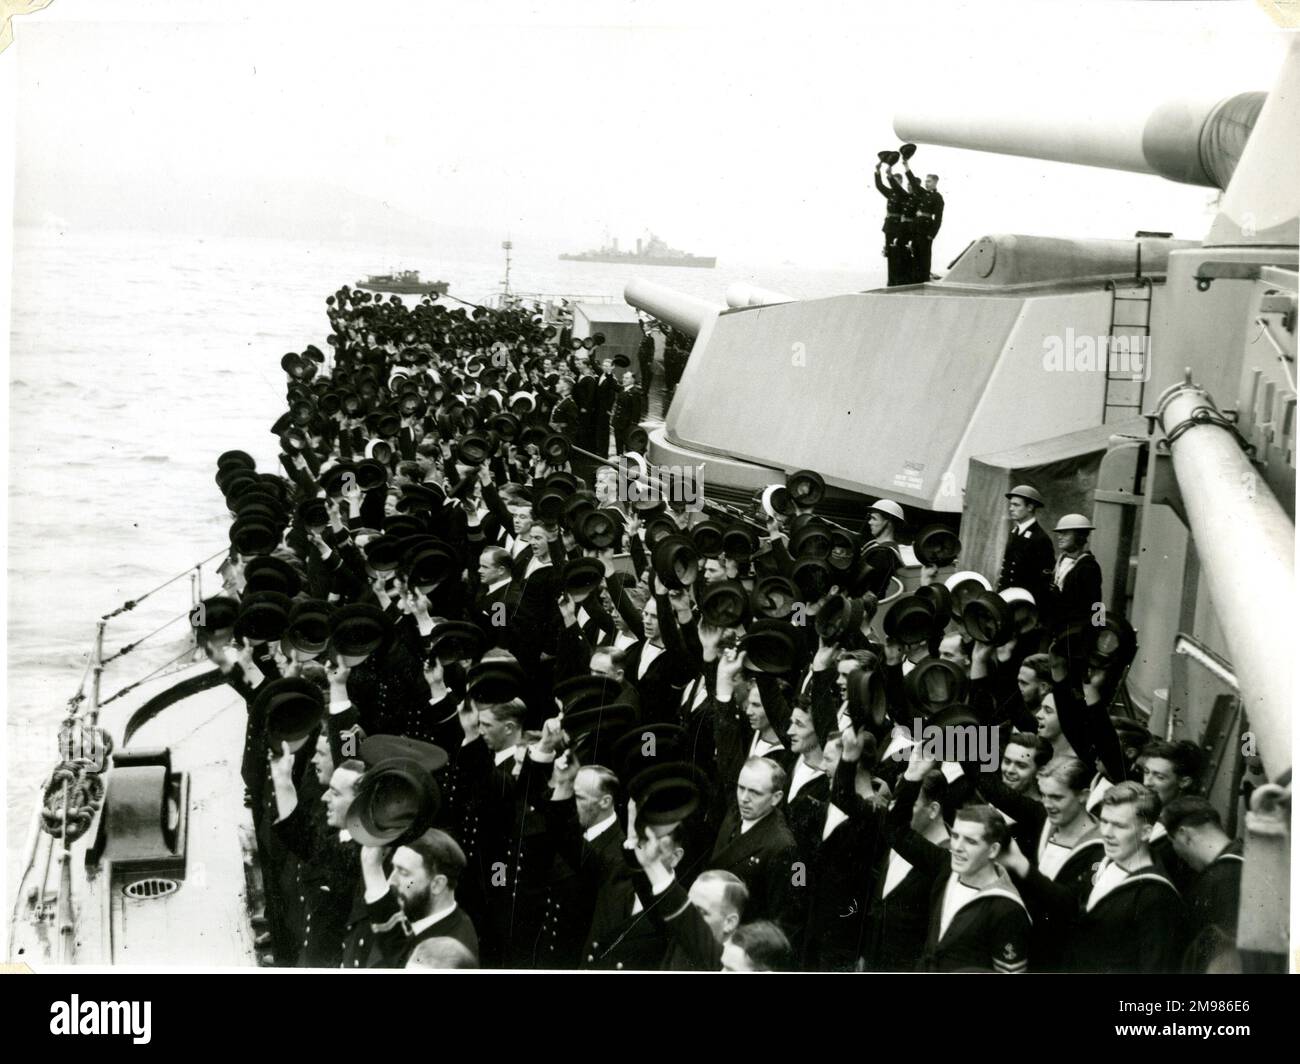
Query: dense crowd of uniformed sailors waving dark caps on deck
510, 710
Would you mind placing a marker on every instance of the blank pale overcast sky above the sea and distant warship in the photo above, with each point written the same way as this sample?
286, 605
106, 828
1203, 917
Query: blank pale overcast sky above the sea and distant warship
740, 129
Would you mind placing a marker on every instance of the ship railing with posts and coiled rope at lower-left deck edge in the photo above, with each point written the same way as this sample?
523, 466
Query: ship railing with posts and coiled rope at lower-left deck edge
84, 747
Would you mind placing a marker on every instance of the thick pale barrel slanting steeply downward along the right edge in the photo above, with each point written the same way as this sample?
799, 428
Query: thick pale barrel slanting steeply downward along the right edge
1246, 544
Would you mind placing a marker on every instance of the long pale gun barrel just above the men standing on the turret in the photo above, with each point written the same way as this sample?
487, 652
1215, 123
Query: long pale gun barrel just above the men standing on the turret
1195, 142
